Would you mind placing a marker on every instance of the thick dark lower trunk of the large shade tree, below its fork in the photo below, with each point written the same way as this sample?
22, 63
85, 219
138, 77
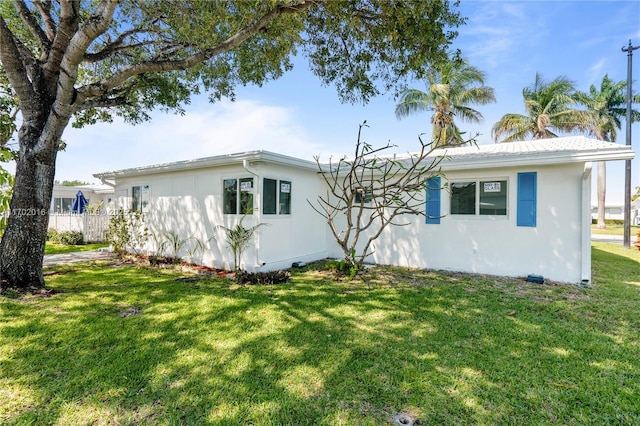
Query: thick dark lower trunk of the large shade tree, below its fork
22, 245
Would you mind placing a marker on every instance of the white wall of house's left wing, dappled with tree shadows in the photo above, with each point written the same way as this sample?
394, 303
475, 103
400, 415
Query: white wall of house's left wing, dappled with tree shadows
190, 203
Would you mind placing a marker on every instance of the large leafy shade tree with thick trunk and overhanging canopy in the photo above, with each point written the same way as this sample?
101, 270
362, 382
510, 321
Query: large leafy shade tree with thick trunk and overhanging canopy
80, 62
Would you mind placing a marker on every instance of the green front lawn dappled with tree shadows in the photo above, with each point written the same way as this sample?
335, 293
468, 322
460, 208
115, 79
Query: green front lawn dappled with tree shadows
116, 344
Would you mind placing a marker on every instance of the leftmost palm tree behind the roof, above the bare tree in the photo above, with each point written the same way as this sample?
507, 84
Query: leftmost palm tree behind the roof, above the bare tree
452, 87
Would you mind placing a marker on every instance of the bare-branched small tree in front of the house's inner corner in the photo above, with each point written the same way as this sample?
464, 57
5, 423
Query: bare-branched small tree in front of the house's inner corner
370, 192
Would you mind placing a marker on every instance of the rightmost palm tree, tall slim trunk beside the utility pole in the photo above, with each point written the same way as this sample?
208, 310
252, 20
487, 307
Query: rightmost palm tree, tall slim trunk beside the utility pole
607, 107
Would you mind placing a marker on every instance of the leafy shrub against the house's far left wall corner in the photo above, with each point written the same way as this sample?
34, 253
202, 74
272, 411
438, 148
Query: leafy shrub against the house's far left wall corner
127, 231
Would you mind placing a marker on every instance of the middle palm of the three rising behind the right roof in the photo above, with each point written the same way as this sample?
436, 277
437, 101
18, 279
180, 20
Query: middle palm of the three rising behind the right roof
548, 111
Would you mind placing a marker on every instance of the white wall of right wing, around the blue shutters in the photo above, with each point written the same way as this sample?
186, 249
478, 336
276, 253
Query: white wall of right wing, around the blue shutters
495, 244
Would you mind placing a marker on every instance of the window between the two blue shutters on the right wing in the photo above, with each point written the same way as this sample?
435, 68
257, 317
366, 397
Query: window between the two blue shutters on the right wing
486, 198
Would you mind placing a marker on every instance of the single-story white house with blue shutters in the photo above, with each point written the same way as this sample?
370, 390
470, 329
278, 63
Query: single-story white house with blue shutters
510, 209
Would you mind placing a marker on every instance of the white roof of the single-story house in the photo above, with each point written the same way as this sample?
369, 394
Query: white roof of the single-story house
572, 149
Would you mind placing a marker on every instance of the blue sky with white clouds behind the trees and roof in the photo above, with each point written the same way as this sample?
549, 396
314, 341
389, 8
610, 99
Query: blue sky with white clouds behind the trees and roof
295, 115
